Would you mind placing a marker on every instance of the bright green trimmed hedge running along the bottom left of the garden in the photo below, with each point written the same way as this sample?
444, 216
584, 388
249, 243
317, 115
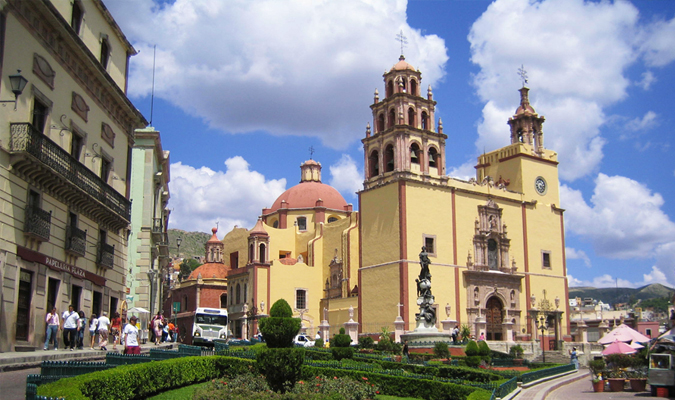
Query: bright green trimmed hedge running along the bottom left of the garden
140, 381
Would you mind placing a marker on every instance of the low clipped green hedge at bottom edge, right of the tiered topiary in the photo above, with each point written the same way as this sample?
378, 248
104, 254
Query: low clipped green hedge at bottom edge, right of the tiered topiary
399, 386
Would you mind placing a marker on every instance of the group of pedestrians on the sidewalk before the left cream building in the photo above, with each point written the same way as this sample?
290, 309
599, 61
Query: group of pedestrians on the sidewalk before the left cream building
75, 324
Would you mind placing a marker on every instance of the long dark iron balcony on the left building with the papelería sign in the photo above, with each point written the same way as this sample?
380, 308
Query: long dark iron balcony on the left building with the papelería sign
40, 161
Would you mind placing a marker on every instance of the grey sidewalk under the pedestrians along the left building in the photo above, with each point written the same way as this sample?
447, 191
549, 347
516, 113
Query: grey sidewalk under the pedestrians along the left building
11, 361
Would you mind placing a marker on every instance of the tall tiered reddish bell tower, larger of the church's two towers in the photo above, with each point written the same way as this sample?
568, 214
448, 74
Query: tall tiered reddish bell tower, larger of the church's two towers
403, 141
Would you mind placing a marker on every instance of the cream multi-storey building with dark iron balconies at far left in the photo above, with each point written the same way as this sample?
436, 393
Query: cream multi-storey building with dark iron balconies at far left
64, 163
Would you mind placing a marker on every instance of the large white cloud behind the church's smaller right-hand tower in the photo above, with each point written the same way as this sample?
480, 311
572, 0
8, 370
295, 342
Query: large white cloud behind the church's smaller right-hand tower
576, 54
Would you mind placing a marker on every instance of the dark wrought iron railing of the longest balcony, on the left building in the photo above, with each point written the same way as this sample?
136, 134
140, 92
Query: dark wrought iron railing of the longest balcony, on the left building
25, 138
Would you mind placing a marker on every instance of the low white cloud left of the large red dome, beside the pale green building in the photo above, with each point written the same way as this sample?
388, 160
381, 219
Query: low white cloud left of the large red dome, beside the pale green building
200, 197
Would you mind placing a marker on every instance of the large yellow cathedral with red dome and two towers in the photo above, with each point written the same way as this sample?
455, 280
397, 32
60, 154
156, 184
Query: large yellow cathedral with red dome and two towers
495, 242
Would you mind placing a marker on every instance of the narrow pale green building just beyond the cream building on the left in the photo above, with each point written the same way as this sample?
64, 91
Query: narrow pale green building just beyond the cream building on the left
148, 242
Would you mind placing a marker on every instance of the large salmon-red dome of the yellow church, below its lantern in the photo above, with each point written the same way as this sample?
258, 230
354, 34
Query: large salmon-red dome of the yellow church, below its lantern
305, 194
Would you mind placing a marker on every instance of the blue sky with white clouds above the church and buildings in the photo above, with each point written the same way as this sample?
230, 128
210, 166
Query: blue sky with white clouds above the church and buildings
243, 89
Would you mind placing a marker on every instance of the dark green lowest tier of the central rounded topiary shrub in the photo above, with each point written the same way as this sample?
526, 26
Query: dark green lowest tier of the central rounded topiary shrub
281, 367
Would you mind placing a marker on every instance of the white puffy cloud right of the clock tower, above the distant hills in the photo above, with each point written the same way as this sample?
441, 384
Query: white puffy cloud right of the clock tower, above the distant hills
623, 220
